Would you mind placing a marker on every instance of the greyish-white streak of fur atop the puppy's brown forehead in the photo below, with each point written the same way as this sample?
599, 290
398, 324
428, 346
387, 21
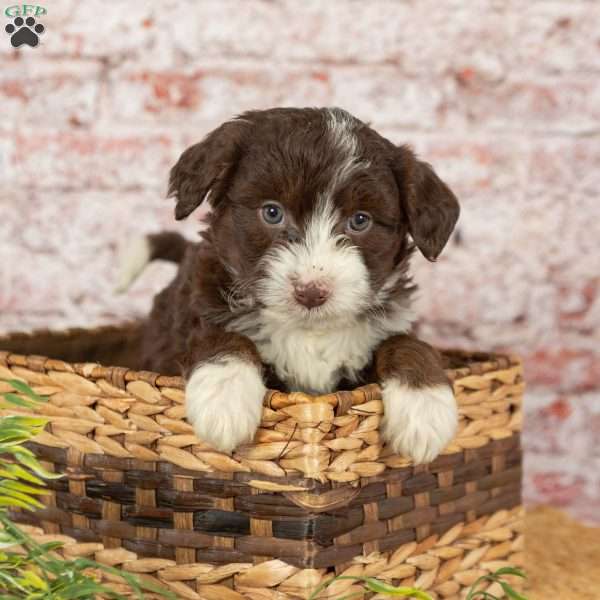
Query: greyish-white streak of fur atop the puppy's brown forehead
342, 126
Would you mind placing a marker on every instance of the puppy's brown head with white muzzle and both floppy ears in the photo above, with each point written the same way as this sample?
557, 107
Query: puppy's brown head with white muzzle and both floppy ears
312, 210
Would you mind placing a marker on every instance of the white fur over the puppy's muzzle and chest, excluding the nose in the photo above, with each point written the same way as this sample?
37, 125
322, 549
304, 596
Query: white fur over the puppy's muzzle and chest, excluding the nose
312, 350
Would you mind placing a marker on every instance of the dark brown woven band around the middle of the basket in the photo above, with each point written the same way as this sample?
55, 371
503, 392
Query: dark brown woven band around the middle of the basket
302, 538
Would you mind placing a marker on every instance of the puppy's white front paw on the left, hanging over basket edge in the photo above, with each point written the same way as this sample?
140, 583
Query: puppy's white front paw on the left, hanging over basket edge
224, 402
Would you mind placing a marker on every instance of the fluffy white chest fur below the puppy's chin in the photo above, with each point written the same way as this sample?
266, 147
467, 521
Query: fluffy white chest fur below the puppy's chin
308, 359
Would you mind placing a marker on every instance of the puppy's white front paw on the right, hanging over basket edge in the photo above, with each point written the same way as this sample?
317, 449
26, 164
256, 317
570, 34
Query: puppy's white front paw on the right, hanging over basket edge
418, 423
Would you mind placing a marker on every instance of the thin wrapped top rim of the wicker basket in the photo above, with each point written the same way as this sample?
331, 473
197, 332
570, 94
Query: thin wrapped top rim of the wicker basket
476, 363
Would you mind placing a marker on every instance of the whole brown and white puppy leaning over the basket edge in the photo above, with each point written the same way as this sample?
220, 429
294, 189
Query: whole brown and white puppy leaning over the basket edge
301, 279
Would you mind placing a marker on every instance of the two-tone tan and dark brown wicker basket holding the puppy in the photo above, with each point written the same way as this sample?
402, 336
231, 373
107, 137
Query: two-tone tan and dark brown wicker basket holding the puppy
314, 495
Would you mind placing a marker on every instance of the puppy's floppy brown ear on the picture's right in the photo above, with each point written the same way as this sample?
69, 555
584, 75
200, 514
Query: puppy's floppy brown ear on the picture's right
430, 206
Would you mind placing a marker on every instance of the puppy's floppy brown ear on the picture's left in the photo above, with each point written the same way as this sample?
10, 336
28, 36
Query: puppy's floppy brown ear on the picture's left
206, 167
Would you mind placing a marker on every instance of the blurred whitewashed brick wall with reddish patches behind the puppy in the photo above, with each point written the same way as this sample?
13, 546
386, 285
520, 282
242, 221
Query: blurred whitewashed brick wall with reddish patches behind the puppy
501, 96
